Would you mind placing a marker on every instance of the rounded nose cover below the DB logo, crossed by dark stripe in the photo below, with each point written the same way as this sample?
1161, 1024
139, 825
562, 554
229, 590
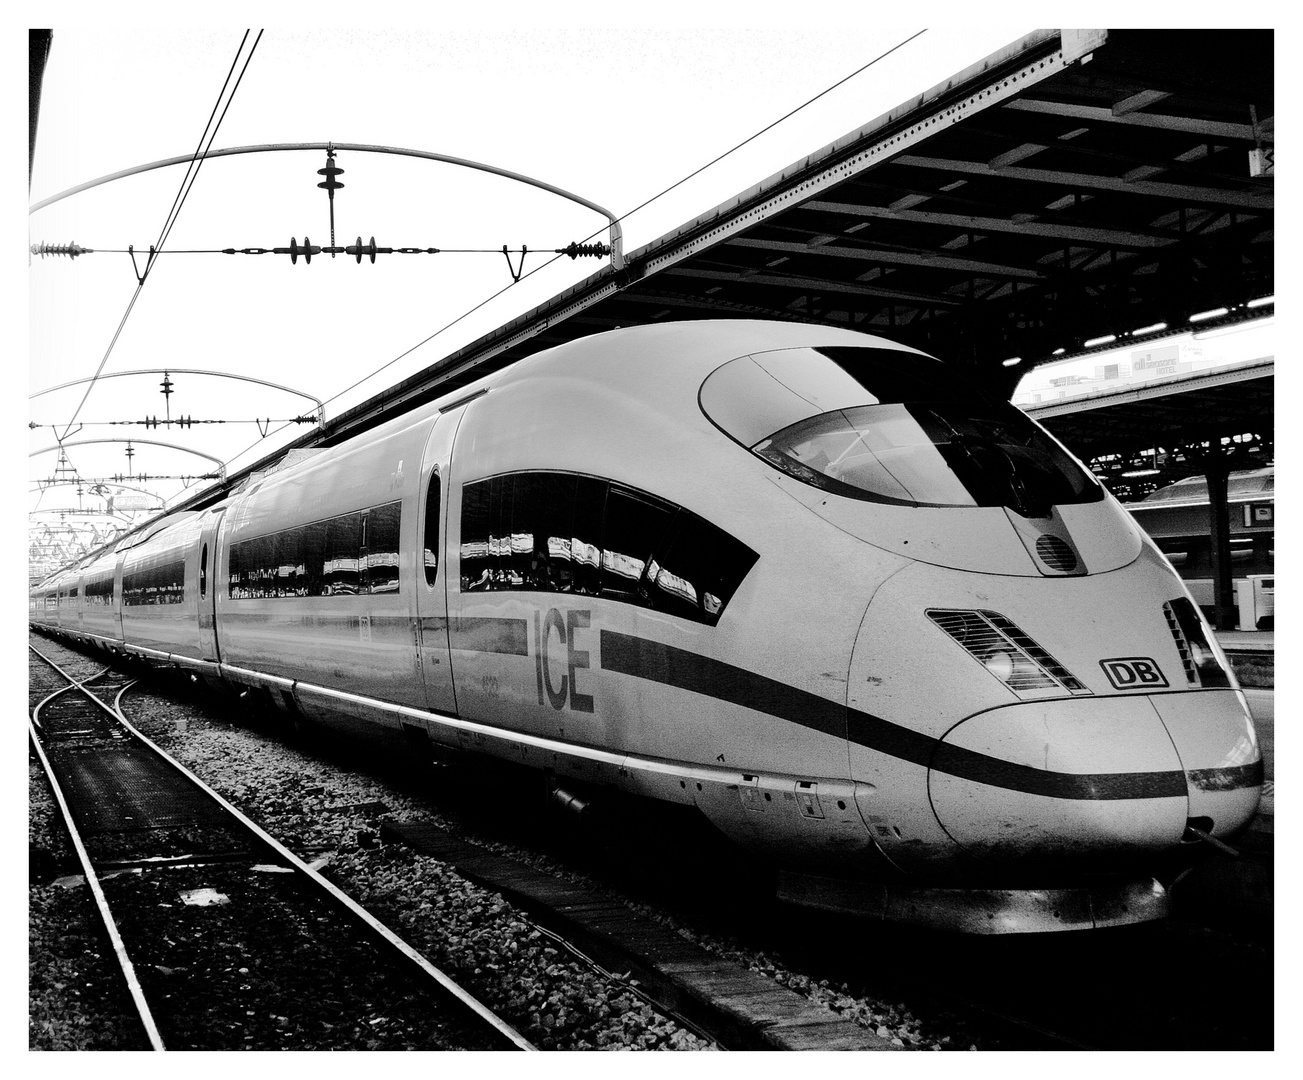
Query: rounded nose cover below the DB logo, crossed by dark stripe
1060, 778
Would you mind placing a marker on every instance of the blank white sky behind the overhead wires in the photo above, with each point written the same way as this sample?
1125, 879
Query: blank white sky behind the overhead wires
614, 114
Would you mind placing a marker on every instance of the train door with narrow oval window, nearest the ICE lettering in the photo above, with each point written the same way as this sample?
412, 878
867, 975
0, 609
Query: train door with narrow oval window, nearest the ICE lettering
432, 588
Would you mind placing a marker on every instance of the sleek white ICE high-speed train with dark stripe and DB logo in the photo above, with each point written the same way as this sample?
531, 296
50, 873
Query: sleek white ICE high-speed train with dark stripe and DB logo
876, 626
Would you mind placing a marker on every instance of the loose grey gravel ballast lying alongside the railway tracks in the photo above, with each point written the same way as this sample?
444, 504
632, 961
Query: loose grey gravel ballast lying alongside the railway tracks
332, 816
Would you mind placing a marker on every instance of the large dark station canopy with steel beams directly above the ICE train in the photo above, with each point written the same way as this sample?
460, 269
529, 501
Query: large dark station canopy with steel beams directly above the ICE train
1076, 184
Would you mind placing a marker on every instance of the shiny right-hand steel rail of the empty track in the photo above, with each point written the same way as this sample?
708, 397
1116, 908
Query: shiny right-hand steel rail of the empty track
342, 900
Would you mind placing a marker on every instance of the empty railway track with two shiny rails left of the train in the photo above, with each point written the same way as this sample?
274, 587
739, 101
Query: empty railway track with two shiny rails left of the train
225, 937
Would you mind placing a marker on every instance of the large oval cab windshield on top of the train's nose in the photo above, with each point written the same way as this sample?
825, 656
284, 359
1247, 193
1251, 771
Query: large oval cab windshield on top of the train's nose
892, 427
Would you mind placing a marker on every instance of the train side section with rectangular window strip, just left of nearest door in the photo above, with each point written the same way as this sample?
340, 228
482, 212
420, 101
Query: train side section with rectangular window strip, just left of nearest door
320, 570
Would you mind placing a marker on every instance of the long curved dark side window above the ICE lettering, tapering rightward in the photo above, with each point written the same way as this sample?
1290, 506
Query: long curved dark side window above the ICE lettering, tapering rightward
567, 533
